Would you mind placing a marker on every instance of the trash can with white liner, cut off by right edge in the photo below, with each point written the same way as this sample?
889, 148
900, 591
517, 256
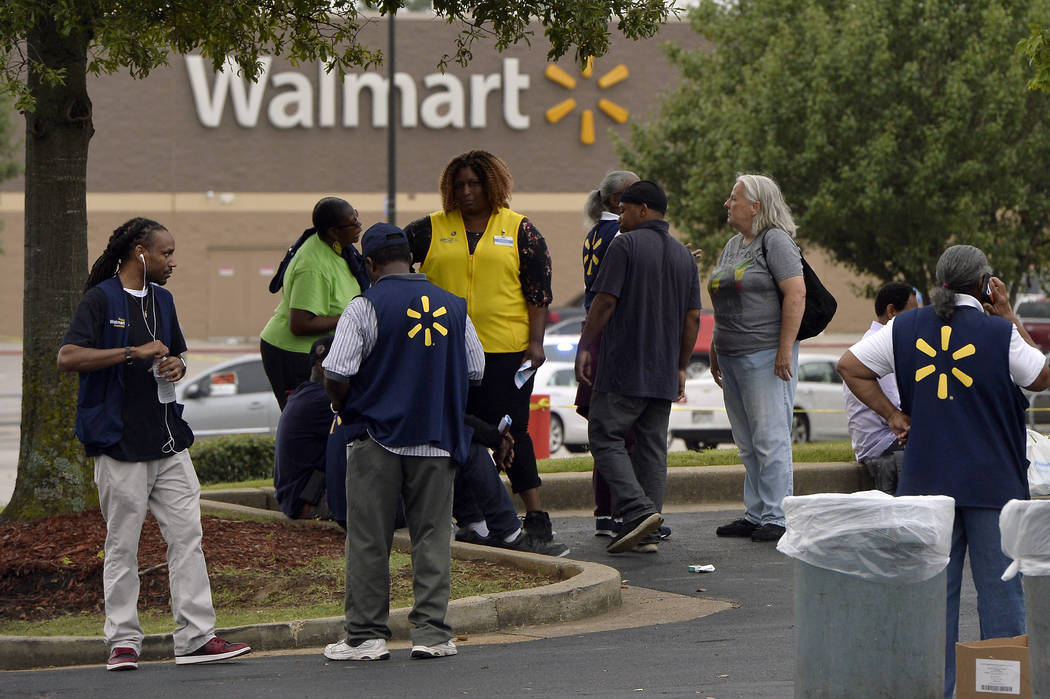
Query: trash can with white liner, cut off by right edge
1025, 529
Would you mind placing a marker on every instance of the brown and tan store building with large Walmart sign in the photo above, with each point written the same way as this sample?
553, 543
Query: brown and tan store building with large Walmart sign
234, 170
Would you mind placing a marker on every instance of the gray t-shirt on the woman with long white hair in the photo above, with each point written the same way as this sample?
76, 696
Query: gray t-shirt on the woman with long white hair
744, 295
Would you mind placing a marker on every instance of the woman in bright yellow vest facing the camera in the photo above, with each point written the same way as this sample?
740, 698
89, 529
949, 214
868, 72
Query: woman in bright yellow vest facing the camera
480, 250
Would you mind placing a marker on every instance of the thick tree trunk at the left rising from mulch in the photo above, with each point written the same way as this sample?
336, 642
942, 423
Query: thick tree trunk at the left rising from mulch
53, 474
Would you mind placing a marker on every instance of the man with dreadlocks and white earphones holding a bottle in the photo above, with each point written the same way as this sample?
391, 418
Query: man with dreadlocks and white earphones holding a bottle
127, 345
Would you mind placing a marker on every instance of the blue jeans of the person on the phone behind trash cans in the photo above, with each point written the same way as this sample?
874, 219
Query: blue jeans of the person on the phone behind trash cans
1001, 605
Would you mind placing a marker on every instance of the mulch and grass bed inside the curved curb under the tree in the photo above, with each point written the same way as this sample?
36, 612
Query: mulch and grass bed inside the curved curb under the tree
53, 567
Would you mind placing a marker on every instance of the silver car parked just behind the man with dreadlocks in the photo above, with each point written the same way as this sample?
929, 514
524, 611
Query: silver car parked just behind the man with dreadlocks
233, 398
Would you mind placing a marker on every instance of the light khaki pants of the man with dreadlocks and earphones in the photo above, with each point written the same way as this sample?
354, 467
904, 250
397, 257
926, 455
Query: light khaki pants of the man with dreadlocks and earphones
171, 490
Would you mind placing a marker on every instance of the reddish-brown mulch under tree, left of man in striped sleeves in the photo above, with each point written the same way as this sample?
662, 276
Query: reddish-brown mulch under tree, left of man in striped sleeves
53, 566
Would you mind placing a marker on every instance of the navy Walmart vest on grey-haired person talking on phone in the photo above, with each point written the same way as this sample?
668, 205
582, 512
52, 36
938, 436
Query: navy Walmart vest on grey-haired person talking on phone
968, 437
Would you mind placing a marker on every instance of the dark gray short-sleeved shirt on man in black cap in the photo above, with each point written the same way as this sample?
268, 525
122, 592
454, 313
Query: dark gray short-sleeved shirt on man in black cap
656, 283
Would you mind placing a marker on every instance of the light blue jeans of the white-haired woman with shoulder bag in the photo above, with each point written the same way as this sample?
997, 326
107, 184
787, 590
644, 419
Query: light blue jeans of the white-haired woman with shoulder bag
760, 406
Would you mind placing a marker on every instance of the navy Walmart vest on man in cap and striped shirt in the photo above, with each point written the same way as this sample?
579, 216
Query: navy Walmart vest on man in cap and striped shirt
412, 389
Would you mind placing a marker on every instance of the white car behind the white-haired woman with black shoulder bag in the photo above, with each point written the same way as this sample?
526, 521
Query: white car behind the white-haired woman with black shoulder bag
702, 421
